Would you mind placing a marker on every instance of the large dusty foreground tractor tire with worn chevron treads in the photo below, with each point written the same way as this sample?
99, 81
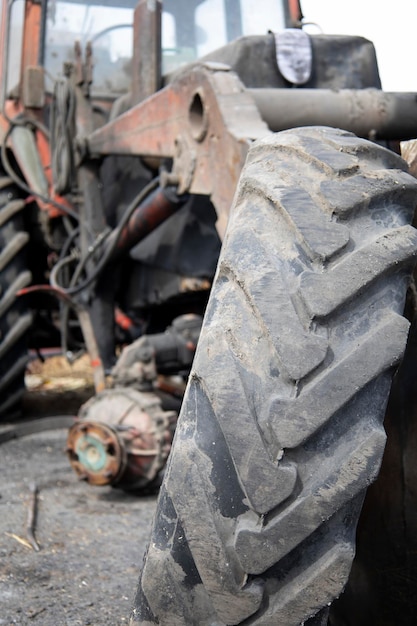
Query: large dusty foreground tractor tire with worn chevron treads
281, 429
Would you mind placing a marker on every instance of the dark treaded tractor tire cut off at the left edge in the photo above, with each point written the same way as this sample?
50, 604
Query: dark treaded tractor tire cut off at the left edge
15, 320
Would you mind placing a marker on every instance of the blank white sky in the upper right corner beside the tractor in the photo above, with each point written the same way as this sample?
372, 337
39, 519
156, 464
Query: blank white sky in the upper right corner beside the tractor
391, 26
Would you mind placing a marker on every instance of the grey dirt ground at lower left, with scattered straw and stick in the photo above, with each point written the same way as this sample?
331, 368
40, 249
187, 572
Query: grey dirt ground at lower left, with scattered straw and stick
92, 540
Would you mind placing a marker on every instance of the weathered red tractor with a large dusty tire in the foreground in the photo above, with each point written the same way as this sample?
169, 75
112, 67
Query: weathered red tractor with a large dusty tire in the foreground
211, 203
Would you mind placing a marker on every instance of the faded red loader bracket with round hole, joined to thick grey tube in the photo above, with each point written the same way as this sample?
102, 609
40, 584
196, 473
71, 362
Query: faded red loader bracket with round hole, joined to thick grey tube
206, 111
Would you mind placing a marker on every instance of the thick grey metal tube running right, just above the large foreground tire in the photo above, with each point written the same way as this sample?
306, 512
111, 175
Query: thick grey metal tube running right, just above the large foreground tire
368, 113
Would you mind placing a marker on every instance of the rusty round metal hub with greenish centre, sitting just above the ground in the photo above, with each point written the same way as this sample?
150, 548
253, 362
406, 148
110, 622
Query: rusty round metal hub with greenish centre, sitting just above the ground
122, 438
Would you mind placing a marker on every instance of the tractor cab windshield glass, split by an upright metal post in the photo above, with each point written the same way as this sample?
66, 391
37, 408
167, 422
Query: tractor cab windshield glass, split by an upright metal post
190, 29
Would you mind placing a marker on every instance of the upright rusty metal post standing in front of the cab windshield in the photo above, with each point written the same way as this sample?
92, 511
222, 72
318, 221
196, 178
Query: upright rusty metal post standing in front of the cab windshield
146, 62
